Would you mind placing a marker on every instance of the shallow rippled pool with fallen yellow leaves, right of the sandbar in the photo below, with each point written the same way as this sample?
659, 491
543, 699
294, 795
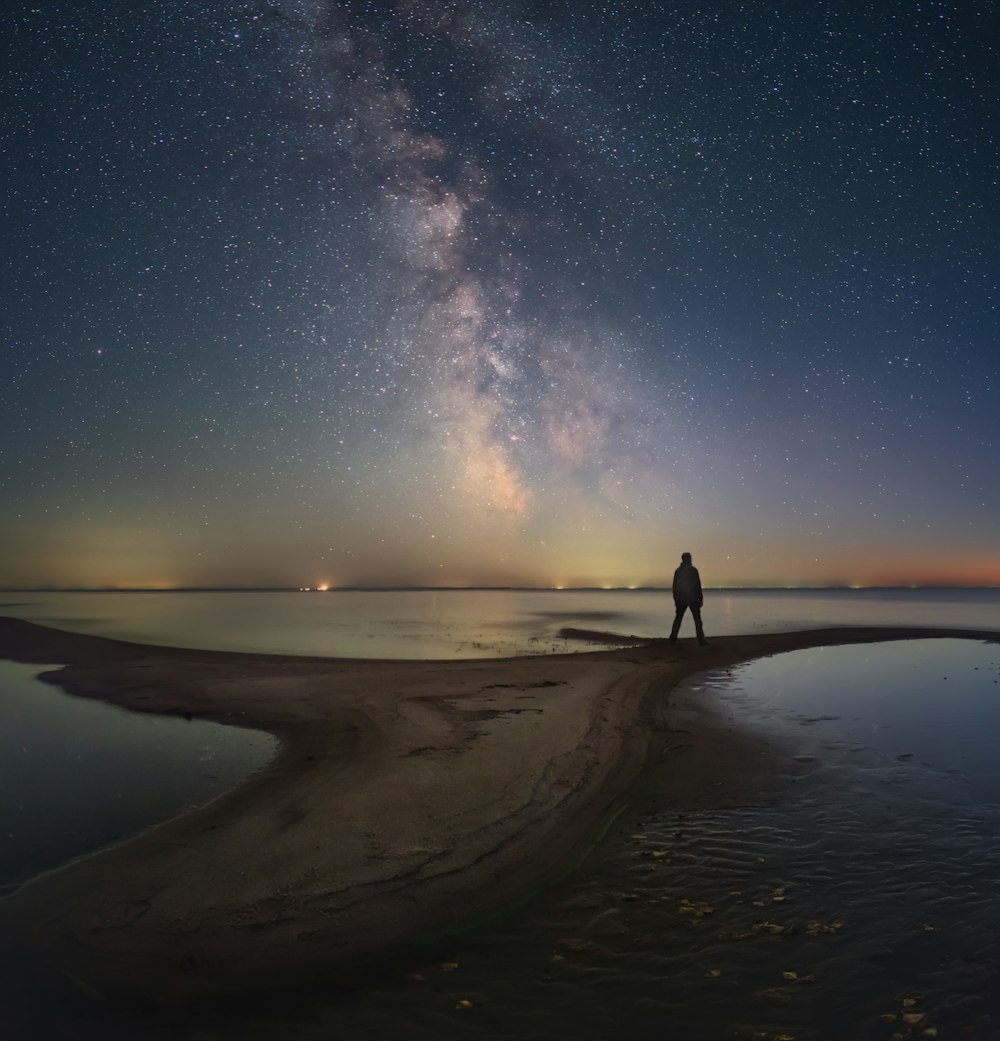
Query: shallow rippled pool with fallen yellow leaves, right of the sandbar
862, 881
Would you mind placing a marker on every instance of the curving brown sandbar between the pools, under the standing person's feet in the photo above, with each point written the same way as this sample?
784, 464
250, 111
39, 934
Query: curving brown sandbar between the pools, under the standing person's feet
408, 797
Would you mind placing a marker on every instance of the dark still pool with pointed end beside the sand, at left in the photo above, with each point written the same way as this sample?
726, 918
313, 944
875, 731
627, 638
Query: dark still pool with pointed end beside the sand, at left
78, 775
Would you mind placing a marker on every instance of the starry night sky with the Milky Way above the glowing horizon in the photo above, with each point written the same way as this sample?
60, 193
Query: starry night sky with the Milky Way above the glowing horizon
482, 293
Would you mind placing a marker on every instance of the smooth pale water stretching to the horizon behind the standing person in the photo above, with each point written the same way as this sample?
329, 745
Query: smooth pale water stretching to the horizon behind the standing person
473, 624
